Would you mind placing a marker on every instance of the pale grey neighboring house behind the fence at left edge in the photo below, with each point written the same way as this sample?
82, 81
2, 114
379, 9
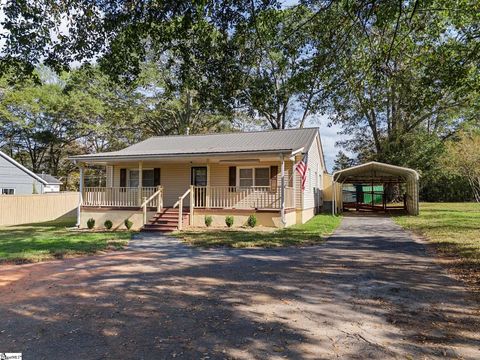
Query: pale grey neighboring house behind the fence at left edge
16, 179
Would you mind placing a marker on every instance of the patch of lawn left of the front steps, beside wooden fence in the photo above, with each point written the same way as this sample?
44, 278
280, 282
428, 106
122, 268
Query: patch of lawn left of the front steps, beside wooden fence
52, 240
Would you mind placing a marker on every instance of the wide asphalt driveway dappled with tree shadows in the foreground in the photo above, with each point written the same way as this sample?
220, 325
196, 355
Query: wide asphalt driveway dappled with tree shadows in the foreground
370, 292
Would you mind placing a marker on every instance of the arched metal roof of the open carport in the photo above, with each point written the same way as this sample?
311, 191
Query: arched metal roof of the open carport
375, 172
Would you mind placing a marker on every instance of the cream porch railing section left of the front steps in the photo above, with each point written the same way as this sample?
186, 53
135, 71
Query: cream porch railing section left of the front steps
118, 196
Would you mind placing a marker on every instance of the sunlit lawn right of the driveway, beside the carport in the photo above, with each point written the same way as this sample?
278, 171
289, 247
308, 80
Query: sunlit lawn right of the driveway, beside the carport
454, 229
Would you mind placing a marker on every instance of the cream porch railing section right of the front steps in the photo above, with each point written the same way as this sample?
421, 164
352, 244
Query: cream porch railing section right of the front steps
233, 197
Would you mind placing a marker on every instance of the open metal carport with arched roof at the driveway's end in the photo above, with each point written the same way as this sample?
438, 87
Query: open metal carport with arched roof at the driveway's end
379, 173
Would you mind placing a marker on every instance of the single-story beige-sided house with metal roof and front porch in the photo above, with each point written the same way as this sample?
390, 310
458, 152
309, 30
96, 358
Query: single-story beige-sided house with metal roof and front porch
171, 182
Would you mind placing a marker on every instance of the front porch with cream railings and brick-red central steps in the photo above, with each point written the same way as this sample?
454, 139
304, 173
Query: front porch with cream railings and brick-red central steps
146, 204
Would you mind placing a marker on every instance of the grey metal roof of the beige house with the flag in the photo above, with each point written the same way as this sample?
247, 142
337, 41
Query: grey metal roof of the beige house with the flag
222, 143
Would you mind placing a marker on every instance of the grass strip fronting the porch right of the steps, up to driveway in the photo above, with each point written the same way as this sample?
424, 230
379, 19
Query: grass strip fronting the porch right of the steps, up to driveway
312, 232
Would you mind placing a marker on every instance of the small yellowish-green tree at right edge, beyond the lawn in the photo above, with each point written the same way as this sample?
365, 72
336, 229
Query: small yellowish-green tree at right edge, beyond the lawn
463, 158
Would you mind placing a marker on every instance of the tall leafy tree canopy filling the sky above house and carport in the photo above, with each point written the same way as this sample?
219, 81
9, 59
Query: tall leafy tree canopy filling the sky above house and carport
401, 78
